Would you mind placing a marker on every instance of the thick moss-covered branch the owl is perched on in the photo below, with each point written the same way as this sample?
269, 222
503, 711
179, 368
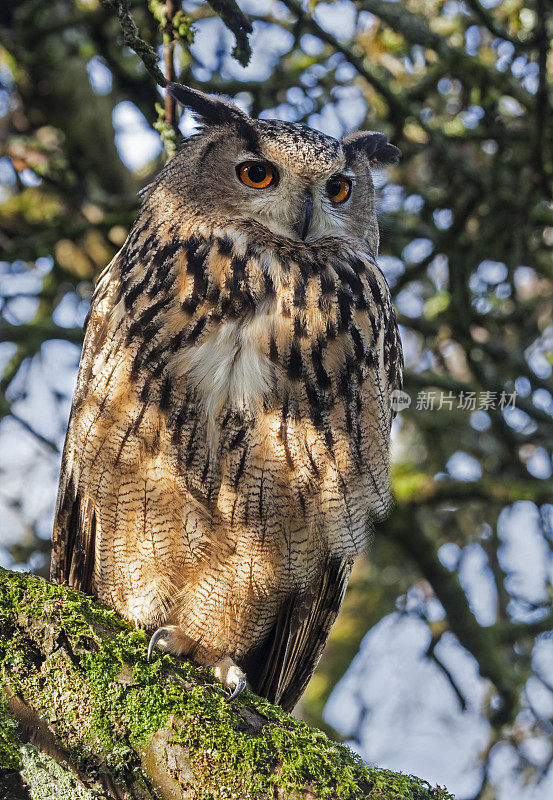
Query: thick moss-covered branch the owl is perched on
76, 684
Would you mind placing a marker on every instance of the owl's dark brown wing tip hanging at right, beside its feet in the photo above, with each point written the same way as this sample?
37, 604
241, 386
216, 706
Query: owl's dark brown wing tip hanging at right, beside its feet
281, 669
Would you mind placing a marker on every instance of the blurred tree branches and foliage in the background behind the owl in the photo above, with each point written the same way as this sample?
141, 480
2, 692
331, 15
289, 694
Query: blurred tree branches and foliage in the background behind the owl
464, 89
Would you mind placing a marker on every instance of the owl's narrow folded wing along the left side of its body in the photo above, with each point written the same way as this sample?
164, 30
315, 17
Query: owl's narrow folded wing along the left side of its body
74, 533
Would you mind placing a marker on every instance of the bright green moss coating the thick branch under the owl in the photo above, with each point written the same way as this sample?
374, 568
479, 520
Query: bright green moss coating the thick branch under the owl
118, 702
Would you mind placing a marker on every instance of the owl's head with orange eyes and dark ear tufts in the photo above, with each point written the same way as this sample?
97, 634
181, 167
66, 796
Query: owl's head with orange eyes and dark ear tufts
293, 180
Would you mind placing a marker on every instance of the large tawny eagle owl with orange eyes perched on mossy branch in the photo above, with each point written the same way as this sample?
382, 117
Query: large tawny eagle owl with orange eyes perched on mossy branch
229, 438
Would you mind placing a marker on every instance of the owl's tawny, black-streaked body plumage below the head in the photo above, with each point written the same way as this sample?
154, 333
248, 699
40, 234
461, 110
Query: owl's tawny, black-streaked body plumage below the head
232, 414
